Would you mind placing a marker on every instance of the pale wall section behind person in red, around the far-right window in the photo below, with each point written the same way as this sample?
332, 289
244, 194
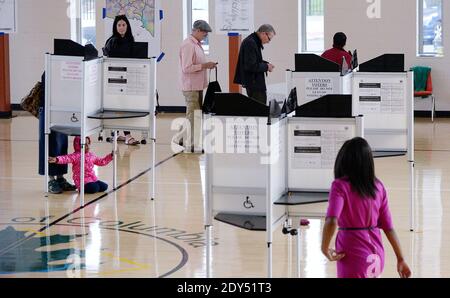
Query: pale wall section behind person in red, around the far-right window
394, 32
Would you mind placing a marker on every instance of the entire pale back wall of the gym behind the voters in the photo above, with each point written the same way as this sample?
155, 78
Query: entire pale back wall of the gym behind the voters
41, 21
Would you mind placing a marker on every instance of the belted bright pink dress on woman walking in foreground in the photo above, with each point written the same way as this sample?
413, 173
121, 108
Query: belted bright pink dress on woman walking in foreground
360, 221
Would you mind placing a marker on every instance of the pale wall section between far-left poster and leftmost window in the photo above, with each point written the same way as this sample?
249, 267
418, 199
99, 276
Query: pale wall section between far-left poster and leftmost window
39, 23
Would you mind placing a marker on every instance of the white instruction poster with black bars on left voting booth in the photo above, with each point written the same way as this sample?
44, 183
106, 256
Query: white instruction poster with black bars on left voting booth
127, 79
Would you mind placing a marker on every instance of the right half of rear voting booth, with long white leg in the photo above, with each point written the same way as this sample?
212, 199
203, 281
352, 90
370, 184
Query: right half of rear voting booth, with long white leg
384, 93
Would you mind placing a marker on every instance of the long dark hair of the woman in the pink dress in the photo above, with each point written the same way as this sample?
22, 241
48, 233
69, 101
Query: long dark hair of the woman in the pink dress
355, 163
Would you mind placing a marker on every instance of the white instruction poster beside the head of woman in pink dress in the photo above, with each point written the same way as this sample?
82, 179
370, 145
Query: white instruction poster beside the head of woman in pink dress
316, 146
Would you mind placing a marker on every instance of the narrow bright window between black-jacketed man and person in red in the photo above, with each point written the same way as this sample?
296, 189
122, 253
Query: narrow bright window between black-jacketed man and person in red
311, 26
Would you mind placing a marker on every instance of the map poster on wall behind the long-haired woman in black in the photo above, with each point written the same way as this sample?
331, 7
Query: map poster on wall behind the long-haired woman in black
144, 19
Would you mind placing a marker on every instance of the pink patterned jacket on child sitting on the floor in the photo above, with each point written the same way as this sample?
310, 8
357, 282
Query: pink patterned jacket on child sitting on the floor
90, 160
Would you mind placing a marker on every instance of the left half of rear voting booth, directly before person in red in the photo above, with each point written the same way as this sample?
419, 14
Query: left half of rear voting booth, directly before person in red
315, 77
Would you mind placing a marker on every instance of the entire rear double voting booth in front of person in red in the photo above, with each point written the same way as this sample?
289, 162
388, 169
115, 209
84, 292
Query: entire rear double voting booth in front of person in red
382, 91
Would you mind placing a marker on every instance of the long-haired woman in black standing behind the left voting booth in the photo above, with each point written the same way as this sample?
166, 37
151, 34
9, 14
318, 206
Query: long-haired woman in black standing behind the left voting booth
120, 45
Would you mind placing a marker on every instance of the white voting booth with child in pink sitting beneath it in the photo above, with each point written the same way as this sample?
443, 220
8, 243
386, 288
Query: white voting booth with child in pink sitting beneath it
87, 95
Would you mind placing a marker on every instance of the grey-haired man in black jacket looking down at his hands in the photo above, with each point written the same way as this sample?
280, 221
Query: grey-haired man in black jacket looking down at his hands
251, 67
